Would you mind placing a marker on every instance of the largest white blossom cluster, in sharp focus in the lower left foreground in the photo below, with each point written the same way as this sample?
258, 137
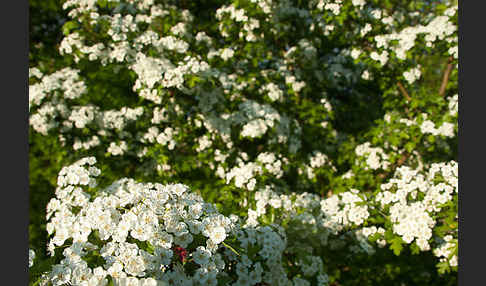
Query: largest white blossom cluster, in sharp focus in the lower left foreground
135, 228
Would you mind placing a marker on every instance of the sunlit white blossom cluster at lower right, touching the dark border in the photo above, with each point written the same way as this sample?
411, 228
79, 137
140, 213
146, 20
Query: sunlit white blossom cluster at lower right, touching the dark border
412, 199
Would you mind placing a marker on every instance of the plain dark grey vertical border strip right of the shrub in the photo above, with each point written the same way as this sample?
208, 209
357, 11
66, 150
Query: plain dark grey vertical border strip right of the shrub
471, 205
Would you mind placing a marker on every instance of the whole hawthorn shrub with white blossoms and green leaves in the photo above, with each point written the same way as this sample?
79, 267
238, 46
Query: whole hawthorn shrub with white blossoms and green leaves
244, 142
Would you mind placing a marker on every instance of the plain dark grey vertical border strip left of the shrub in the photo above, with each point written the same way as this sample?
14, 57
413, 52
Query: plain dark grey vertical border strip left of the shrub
14, 116
